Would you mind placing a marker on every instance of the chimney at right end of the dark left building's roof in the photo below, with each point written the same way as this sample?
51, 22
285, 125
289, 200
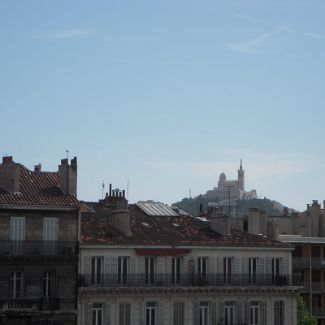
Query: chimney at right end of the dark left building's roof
68, 176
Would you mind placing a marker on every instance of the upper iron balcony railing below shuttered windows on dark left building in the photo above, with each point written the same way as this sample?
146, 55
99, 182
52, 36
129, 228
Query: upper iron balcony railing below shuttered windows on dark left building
22, 248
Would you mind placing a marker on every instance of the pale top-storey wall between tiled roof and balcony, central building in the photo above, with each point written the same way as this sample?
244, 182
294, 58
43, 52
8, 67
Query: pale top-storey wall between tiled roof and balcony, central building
215, 259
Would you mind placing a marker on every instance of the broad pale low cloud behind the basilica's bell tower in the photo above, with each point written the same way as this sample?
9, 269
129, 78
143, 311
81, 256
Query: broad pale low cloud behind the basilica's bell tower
262, 166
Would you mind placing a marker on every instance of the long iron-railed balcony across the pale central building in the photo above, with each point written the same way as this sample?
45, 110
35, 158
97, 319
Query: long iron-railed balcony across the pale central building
183, 280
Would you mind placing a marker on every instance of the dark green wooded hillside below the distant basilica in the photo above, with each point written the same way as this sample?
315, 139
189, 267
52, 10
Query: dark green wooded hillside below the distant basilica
240, 209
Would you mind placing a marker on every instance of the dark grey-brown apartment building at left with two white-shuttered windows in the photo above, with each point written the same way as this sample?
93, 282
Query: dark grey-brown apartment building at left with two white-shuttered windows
39, 216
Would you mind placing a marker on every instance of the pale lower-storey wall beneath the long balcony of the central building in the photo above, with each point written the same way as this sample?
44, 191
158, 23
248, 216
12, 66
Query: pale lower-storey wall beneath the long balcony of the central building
165, 306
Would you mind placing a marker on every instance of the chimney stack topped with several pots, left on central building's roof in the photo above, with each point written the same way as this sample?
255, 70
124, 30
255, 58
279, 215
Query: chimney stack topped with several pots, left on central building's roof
117, 207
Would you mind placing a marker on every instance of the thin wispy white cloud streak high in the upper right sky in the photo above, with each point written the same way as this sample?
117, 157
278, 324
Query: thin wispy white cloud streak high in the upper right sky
255, 45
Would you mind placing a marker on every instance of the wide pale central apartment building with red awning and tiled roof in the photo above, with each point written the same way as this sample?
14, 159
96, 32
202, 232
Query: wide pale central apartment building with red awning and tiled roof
148, 264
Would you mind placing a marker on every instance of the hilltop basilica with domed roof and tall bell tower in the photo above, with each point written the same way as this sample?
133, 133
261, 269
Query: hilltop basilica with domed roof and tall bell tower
228, 191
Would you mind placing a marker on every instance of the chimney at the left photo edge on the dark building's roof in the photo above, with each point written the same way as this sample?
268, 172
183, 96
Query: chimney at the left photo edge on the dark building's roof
10, 175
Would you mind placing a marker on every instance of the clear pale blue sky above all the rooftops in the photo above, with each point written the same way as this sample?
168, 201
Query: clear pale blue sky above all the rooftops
168, 94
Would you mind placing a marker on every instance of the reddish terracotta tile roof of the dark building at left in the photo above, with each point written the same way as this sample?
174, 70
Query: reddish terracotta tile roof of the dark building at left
38, 188
